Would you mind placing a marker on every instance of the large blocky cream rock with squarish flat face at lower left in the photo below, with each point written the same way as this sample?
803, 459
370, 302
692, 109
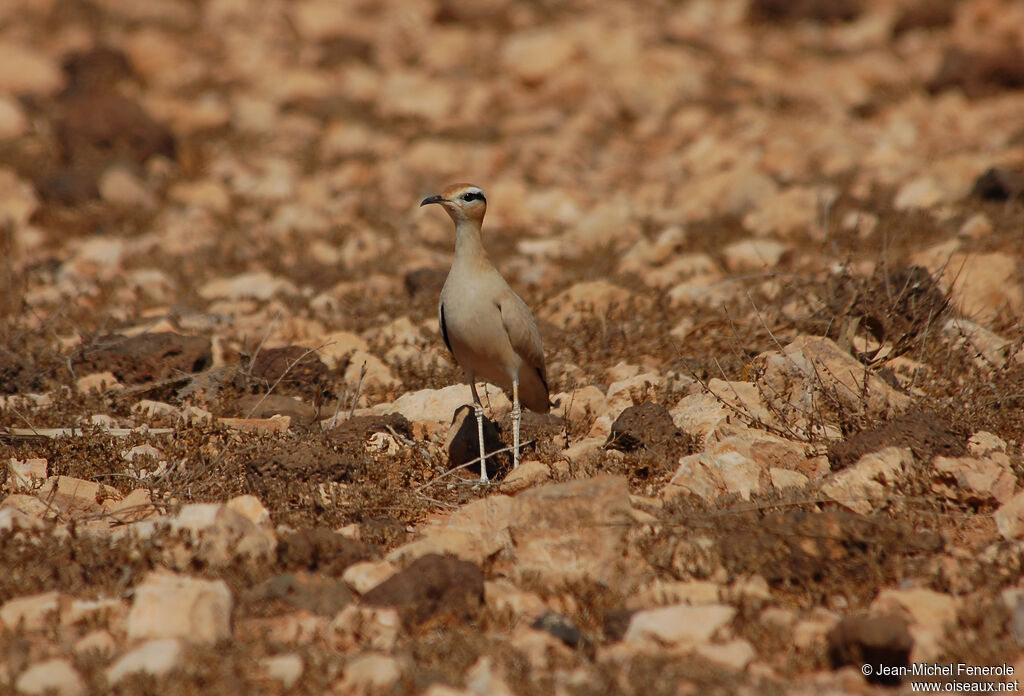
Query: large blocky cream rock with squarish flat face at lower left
173, 606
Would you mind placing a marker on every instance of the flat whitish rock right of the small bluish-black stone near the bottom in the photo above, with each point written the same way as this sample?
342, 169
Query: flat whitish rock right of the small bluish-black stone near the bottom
678, 626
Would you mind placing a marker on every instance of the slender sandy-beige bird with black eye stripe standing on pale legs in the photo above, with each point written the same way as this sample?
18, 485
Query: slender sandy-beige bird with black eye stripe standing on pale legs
487, 327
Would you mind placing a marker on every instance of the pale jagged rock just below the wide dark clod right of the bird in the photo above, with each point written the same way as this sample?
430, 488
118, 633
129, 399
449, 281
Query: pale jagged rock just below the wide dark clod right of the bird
868, 484
